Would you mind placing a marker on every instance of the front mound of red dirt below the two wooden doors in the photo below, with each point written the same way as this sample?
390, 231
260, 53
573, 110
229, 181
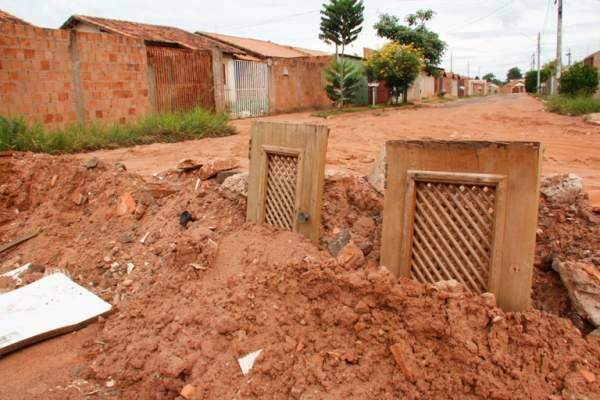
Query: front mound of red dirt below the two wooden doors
326, 333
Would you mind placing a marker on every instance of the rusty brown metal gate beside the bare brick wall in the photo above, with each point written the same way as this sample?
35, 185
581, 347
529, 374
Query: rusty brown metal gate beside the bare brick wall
180, 79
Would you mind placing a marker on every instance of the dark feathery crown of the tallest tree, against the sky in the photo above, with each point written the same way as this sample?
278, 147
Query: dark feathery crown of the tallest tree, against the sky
341, 22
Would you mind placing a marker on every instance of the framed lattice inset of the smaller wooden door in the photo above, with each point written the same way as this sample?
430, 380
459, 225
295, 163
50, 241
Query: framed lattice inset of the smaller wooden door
282, 179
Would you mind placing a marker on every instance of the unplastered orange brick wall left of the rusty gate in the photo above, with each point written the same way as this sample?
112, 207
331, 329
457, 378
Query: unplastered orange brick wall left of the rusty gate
58, 77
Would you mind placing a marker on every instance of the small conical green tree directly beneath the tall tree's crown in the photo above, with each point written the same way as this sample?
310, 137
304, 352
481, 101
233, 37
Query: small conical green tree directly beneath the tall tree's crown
343, 77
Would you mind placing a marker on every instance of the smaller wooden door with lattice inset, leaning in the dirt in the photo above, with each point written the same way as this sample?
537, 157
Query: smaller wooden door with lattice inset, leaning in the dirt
272, 191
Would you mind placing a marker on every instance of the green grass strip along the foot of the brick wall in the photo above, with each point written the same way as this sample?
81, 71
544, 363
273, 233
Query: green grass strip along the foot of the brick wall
16, 134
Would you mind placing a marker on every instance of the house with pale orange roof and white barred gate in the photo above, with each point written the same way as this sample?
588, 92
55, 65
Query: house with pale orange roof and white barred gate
271, 78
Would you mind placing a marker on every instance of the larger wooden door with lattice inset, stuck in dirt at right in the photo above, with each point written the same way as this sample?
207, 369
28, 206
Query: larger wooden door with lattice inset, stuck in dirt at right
512, 169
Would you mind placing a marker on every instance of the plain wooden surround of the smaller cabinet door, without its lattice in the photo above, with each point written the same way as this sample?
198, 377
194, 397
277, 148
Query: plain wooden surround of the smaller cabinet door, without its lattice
309, 144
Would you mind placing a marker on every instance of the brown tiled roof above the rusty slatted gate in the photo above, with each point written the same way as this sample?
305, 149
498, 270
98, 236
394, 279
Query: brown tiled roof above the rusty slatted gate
154, 33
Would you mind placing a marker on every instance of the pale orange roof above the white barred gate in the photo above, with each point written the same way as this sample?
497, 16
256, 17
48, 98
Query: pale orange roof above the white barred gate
262, 48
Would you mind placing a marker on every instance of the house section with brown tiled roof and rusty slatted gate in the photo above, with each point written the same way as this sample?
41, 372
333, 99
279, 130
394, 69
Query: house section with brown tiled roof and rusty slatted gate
181, 65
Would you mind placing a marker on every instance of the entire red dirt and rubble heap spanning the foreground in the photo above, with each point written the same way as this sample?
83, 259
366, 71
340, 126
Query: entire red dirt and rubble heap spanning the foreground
191, 300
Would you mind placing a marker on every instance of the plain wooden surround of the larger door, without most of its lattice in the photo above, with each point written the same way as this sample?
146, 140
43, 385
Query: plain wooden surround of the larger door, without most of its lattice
515, 211
